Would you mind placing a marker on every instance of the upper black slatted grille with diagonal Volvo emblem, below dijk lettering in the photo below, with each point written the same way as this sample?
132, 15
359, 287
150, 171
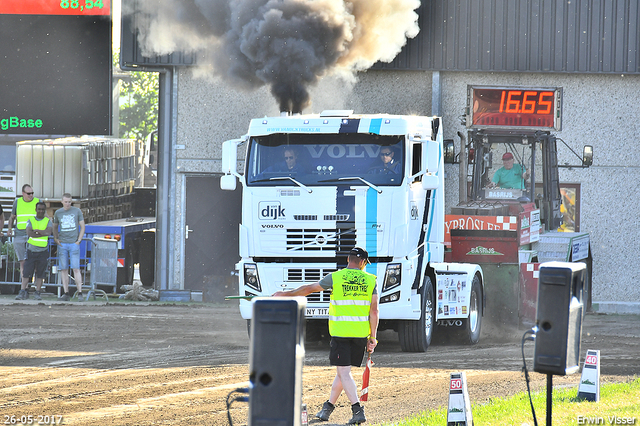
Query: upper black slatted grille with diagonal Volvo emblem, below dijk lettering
339, 241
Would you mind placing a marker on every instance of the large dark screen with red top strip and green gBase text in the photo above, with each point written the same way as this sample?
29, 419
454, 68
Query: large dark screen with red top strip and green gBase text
55, 67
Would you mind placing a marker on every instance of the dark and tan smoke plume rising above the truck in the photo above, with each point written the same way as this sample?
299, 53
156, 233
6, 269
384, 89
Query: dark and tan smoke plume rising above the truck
286, 44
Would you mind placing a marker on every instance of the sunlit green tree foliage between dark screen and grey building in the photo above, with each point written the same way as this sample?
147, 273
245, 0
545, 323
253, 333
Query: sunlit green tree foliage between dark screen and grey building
138, 104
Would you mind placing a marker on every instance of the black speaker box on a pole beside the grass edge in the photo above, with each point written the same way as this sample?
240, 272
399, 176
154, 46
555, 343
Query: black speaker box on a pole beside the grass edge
559, 318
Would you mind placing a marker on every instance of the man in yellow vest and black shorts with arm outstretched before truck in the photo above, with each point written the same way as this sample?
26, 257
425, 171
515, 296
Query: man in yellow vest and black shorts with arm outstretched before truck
353, 326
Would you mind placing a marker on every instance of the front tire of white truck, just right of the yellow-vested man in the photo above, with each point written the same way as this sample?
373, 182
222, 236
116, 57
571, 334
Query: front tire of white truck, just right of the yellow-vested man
415, 336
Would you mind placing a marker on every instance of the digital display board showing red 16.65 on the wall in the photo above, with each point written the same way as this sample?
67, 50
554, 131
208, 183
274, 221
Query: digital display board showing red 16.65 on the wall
514, 108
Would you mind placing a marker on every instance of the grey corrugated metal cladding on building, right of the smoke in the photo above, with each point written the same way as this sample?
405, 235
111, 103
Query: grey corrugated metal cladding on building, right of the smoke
578, 36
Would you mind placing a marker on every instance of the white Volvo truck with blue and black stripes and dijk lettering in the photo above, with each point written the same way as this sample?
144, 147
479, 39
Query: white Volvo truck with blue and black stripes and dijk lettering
315, 186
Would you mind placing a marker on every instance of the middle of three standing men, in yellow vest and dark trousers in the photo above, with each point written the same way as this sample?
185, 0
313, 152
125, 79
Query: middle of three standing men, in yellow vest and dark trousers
38, 230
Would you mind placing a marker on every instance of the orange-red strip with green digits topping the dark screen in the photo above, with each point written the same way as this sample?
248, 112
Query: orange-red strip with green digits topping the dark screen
55, 7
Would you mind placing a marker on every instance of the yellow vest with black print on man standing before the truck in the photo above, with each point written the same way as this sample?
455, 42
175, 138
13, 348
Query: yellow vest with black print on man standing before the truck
351, 303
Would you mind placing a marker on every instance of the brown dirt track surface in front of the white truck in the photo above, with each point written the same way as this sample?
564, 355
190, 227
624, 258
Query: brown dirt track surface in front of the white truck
125, 364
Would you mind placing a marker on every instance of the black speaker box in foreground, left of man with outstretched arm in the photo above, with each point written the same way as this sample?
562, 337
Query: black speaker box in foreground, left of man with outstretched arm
275, 363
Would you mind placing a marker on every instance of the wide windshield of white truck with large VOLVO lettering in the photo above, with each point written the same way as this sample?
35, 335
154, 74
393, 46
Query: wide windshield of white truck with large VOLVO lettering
322, 159
